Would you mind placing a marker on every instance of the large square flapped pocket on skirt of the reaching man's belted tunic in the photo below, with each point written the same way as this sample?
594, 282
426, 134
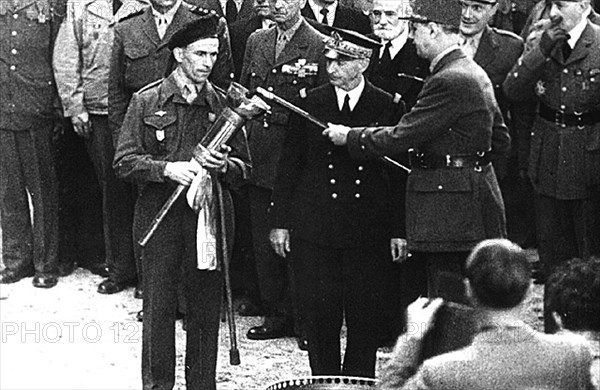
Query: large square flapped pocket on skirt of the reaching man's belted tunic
442, 206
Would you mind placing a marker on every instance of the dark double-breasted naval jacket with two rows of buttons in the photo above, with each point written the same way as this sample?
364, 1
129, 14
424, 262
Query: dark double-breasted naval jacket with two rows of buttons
324, 195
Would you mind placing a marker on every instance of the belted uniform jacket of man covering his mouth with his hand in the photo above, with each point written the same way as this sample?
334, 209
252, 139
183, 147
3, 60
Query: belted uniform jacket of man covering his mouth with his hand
565, 159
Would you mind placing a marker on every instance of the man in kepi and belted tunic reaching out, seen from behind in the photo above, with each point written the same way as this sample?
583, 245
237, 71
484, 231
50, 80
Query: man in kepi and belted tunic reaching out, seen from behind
455, 130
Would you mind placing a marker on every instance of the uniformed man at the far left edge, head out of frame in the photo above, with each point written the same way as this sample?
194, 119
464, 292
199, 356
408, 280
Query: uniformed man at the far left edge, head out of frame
28, 111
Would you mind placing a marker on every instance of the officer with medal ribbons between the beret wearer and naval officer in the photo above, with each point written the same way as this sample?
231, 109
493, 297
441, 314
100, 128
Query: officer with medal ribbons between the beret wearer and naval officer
283, 59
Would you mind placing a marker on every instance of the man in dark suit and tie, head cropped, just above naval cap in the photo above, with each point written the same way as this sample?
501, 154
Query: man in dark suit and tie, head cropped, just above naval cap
331, 13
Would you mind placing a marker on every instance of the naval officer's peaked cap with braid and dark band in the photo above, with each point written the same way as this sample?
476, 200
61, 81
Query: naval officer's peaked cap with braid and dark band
348, 45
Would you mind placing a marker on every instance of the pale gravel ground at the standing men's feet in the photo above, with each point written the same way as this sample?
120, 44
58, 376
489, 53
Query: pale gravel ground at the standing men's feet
70, 337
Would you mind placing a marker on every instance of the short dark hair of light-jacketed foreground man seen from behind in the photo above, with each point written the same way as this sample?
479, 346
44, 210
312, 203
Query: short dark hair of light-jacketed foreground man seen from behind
499, 273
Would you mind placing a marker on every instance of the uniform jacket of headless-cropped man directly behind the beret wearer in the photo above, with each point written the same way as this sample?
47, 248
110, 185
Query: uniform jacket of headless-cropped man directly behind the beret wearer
139, 57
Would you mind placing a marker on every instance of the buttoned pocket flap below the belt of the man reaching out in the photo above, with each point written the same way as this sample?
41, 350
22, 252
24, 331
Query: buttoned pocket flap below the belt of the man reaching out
446, 180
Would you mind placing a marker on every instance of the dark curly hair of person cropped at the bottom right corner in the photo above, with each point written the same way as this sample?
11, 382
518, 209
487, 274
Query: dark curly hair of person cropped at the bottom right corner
573, 291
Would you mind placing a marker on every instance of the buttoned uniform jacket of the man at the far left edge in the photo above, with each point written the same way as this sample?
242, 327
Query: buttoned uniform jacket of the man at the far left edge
28, 92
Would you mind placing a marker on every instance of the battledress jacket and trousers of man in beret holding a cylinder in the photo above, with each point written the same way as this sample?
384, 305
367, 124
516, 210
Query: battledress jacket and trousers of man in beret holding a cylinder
161, 126
